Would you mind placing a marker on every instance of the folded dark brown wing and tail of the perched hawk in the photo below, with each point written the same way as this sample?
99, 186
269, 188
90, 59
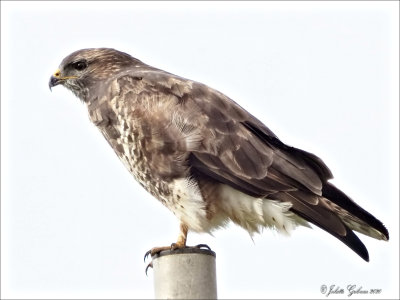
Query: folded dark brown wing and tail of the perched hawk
226, 144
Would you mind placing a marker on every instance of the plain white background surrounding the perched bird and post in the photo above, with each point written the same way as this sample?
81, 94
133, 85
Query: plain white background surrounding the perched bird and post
322, 75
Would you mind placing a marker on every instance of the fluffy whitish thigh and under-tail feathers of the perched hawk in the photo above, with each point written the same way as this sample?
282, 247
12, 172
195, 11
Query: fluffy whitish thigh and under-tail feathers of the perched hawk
253, 214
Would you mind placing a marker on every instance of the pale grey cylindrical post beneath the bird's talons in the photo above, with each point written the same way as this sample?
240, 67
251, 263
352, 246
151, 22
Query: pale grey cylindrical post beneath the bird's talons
187, 273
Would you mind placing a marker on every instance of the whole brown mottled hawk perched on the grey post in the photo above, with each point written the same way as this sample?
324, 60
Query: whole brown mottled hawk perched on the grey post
206, 158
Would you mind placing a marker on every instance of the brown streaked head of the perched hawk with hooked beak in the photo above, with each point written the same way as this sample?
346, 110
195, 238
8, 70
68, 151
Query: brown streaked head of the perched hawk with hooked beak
82, 69
